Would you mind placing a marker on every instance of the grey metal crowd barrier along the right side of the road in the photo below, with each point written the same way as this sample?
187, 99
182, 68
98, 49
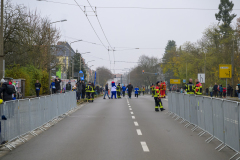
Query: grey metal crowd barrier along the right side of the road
217, 117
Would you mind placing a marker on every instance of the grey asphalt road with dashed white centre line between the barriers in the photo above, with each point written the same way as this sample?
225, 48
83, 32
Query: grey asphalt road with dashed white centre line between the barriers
107, 130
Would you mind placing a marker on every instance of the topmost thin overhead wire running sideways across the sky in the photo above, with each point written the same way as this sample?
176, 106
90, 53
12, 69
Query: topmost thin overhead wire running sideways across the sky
146, 8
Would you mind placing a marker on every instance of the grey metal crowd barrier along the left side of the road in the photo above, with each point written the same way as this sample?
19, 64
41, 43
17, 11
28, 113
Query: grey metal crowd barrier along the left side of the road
23, 116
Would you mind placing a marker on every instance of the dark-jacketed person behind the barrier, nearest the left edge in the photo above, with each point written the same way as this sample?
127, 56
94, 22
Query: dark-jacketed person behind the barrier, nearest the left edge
7, 89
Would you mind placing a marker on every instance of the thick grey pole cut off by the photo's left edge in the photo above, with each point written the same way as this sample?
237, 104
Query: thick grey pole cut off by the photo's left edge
2, 61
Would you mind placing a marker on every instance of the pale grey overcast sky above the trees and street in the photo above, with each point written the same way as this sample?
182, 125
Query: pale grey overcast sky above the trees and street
133, 28
